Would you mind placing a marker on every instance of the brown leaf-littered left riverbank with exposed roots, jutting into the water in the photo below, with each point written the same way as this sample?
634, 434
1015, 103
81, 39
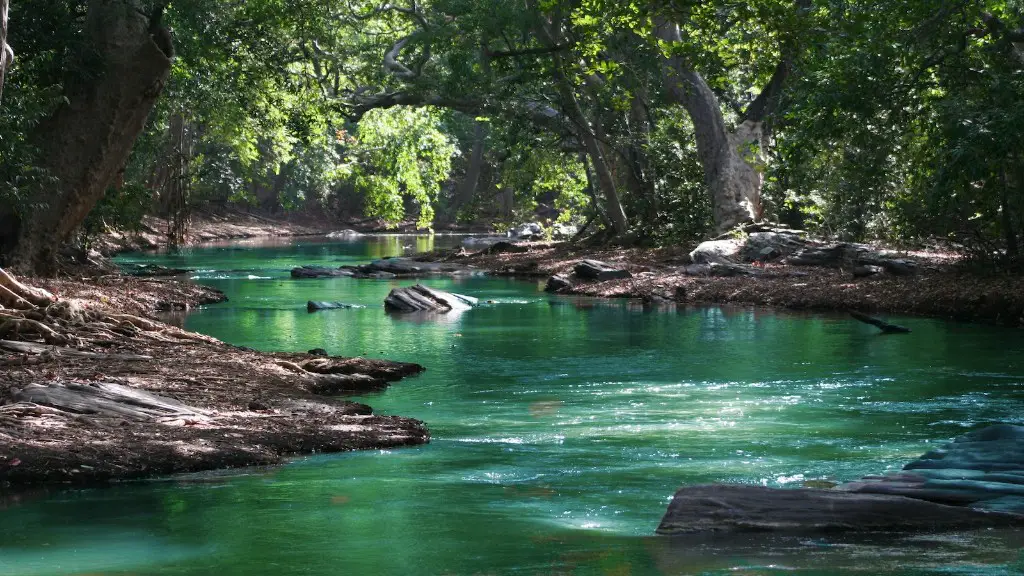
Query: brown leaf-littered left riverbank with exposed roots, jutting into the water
96, 389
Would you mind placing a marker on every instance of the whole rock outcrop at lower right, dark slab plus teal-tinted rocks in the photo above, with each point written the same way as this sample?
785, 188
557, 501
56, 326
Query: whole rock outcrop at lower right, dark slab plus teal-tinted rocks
976, 481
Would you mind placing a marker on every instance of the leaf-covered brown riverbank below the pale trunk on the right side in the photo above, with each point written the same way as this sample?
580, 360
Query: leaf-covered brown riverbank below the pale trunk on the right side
940, 287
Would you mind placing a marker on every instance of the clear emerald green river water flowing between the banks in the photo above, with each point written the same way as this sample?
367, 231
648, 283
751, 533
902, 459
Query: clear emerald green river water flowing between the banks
562, 429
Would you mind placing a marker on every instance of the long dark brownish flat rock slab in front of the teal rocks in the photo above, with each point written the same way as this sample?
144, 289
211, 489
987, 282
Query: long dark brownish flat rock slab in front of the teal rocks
731, 509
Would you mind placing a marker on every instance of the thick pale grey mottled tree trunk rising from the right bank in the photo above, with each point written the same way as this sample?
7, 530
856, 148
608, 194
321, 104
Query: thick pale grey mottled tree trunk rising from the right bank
729, 158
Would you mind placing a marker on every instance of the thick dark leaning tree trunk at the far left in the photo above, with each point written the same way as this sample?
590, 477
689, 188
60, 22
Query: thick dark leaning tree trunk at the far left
89, 139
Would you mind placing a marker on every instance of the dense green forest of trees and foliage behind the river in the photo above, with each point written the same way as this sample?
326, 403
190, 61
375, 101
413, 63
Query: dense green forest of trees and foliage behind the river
649, 122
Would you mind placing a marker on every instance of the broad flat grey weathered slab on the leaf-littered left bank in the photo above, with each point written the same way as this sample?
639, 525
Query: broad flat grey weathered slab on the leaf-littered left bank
107, 399
